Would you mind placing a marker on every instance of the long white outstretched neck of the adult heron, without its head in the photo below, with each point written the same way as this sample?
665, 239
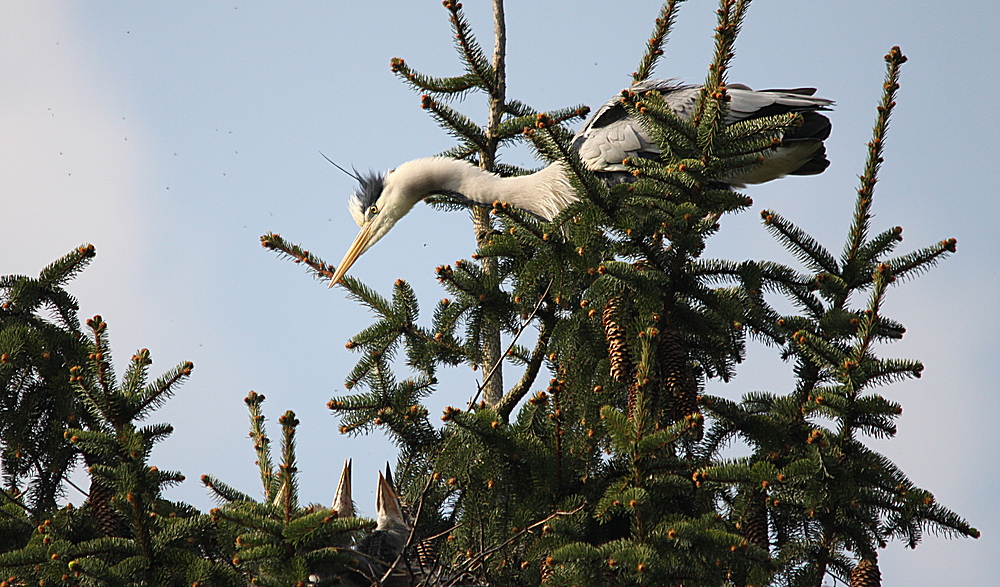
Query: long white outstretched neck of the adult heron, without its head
543, 193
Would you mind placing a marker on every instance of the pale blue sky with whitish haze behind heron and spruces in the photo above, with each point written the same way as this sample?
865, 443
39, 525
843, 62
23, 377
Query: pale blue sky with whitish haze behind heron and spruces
171, 135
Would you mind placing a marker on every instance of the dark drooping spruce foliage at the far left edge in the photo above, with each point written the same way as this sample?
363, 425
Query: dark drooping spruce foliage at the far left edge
40, 339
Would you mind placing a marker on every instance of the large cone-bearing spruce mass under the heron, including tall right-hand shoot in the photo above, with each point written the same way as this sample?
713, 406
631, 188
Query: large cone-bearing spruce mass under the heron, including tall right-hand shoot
613, 474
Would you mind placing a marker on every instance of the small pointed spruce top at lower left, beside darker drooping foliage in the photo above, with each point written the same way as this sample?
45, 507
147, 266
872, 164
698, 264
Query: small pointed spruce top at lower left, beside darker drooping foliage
127, 534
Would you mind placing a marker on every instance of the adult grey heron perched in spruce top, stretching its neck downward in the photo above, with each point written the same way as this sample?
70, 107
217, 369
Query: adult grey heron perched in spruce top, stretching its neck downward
608, 137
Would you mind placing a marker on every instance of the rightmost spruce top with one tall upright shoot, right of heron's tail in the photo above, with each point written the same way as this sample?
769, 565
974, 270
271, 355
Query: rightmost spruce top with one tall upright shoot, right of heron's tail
833, 501
